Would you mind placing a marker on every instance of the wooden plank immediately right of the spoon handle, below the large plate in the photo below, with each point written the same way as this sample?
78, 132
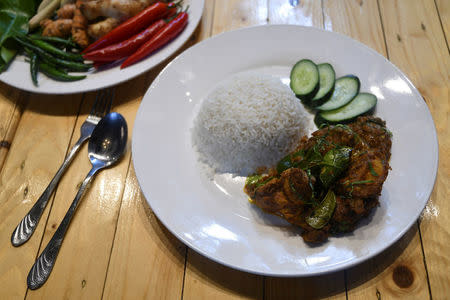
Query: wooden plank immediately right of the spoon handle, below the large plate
146, 261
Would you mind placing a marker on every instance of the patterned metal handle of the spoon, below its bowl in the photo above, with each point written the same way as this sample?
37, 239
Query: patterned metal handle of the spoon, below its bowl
43, 266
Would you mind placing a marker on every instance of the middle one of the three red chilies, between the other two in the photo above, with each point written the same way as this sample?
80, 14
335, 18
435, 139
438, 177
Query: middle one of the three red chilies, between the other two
125, 48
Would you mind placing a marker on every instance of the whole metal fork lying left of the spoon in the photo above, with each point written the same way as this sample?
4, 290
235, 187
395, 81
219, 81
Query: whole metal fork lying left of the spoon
26, 227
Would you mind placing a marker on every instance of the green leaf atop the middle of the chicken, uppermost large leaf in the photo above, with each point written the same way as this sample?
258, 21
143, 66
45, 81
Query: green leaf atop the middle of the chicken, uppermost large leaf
335, 162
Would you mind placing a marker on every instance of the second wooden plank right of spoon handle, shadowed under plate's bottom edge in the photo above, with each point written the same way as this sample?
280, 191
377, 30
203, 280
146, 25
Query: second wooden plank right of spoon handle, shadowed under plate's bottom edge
206, 279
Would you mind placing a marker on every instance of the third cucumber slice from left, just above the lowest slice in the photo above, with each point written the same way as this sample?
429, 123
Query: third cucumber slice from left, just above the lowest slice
345, 89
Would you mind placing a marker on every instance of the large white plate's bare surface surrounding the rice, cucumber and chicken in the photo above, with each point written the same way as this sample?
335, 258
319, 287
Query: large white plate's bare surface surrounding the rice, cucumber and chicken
214, 217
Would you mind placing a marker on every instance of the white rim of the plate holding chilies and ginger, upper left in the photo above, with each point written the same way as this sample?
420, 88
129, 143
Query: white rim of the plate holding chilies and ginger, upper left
18, 73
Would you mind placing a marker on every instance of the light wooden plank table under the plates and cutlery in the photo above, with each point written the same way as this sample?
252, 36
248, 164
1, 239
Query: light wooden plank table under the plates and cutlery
116, 247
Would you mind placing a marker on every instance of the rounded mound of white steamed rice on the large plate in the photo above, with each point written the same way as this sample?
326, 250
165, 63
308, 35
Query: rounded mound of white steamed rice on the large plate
247, 122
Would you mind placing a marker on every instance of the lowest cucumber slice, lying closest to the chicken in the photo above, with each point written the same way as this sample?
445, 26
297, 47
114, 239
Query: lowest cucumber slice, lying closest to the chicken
361, 104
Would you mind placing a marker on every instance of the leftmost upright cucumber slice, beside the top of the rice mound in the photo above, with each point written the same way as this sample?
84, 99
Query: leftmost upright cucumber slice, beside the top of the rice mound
304, 78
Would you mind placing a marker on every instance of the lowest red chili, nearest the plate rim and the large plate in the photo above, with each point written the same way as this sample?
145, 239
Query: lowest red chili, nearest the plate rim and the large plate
166, 34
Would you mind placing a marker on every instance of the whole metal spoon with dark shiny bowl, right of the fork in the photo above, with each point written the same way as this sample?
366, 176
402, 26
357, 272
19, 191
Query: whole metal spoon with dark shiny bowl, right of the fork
106, 146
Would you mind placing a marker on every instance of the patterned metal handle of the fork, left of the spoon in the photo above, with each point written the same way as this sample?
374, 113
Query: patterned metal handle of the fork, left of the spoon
28, 224
